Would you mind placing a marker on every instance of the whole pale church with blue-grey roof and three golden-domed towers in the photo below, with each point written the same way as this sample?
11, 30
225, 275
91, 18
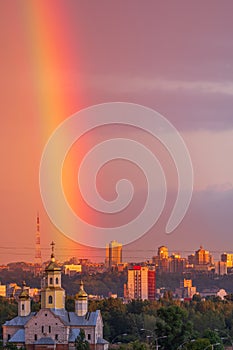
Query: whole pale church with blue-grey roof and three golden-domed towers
53, 327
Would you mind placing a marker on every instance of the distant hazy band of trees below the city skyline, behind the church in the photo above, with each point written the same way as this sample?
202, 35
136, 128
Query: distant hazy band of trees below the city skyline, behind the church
113, 282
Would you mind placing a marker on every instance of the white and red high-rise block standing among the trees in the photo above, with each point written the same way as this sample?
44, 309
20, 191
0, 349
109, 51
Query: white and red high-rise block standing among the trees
141, 283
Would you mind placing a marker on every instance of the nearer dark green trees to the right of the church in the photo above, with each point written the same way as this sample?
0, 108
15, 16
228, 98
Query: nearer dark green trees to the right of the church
197, 324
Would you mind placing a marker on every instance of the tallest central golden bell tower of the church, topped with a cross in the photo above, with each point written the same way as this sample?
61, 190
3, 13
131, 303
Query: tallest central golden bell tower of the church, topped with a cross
52, 294
